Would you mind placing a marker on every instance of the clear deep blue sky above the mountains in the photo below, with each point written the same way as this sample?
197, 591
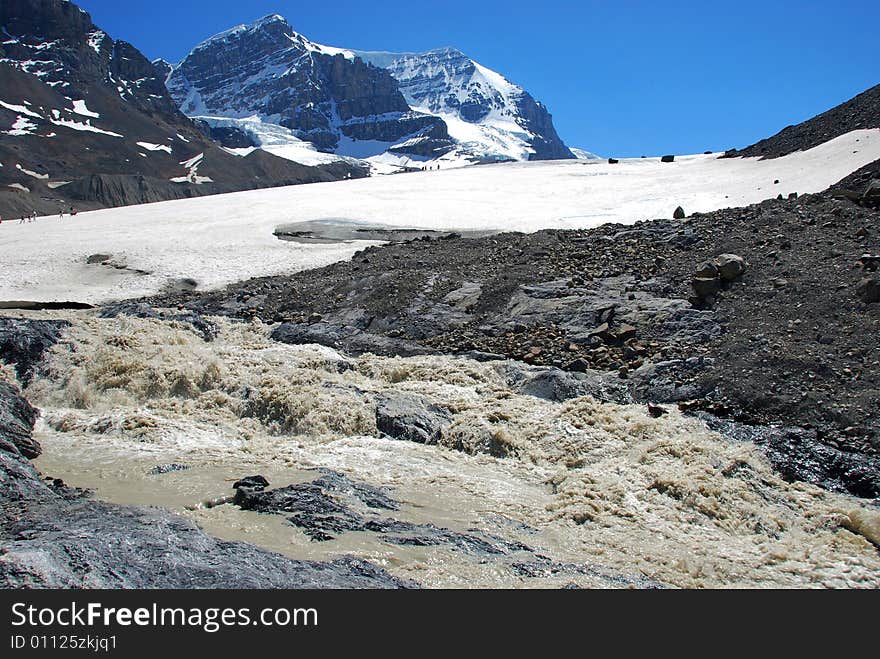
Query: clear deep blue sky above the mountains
621, 78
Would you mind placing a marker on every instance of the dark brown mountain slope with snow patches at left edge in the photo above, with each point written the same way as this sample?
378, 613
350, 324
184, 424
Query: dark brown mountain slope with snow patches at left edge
86, 121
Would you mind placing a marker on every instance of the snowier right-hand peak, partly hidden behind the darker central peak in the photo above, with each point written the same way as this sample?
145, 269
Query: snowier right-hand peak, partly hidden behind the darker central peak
490, 117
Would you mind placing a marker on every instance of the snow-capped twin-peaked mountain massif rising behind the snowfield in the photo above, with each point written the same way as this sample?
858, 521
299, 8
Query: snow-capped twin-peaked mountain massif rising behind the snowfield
427, 106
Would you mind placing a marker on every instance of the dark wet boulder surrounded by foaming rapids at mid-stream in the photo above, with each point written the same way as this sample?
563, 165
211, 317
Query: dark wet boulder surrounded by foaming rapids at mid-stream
411, 418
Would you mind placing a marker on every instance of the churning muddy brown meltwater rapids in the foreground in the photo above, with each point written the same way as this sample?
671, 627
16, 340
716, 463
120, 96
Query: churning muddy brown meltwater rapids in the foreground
523, 492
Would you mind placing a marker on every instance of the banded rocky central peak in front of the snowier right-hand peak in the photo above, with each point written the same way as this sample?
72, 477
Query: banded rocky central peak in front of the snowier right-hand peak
339, 104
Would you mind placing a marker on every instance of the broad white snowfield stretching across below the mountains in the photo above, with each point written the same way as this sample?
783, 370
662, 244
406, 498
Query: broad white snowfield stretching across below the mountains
220, 239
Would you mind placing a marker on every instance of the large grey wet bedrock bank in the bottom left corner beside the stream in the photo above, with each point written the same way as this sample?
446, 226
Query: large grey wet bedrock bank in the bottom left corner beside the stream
52, 536
